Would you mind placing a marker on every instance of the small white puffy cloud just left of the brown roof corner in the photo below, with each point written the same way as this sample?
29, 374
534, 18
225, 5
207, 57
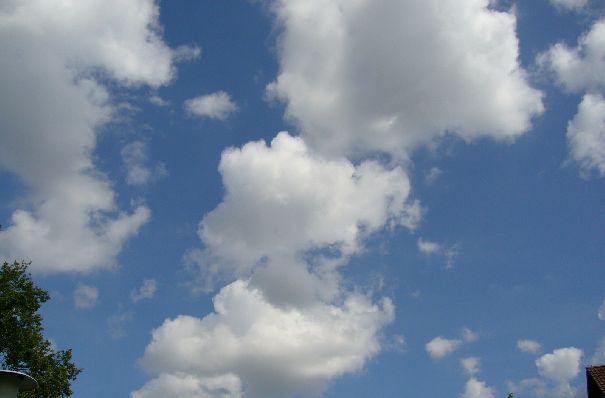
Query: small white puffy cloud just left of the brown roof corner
561, 366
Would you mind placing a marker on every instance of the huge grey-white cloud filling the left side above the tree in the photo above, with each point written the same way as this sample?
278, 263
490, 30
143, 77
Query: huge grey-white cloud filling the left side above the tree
56, 57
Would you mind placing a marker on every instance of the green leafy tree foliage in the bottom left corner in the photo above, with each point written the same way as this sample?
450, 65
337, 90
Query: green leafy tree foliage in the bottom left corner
22, 345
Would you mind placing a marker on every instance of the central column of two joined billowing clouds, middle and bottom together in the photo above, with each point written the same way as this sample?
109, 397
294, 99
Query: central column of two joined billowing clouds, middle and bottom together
288, 219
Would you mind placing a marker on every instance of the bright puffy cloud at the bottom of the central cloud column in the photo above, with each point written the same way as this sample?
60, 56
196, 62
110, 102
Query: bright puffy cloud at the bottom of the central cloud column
274, 351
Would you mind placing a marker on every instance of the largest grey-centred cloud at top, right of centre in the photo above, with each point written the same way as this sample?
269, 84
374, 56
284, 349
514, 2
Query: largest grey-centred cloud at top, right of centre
388, 75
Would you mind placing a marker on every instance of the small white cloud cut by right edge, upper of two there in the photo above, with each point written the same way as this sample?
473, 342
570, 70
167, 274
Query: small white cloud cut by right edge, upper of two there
580, 68
